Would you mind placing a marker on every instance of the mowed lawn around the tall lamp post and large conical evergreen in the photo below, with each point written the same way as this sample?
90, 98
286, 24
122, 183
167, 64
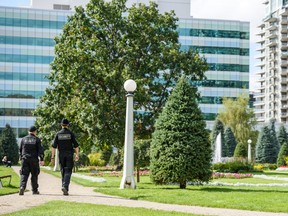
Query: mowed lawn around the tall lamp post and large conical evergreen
255, 198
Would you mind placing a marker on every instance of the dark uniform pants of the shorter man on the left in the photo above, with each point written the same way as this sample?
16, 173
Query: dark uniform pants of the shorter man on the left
30, 165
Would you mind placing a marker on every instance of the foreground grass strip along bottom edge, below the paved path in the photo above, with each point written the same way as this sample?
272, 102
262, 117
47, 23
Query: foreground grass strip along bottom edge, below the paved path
71, 208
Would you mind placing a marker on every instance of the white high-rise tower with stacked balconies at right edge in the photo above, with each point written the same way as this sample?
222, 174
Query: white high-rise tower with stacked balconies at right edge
272, 97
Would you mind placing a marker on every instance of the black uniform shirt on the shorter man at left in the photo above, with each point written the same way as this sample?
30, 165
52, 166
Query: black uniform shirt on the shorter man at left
31, 147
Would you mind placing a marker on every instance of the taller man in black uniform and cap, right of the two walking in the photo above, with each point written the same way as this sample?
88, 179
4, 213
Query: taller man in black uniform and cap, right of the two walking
66, 143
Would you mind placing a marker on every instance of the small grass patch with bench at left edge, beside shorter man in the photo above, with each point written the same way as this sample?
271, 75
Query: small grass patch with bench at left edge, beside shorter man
15, 181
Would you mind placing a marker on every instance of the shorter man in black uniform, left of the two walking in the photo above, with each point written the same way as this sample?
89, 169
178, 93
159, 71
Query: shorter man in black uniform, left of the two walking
30, 150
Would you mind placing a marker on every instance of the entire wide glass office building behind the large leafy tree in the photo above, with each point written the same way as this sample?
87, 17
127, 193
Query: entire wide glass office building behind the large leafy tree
27, 49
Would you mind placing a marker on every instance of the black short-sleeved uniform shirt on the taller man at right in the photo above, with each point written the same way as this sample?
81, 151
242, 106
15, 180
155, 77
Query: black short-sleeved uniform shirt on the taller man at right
65, 141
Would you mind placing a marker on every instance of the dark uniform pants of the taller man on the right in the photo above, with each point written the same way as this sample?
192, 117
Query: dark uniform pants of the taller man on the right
66, 165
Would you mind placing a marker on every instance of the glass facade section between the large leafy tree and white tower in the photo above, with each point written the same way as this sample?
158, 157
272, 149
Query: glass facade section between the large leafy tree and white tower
225, 44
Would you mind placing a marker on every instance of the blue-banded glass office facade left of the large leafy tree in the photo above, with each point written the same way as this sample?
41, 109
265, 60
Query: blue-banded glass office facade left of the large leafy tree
26, 50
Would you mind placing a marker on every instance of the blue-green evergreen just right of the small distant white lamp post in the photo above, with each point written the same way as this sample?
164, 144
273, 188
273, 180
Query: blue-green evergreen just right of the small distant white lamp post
266, 151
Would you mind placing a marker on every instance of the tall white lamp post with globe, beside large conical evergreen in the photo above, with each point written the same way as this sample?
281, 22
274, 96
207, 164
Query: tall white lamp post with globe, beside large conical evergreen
128, 169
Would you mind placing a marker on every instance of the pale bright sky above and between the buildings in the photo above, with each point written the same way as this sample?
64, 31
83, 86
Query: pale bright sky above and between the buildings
244, 10
